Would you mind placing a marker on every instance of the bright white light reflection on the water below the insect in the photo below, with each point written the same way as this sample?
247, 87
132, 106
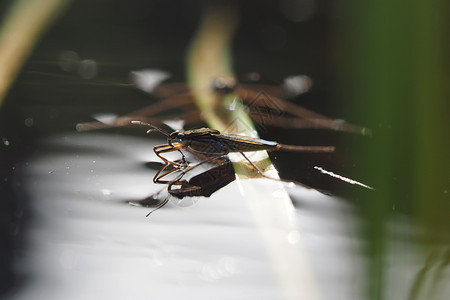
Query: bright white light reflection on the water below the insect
86, 243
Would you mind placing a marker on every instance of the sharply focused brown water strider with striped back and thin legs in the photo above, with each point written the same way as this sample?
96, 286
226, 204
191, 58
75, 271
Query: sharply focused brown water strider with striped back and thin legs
209, 145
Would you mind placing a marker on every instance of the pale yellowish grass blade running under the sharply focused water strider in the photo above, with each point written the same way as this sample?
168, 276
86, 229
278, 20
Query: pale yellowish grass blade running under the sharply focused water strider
209, 57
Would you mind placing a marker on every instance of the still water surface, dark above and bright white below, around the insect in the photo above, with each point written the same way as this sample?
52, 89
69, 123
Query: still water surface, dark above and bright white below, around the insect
67, 230
